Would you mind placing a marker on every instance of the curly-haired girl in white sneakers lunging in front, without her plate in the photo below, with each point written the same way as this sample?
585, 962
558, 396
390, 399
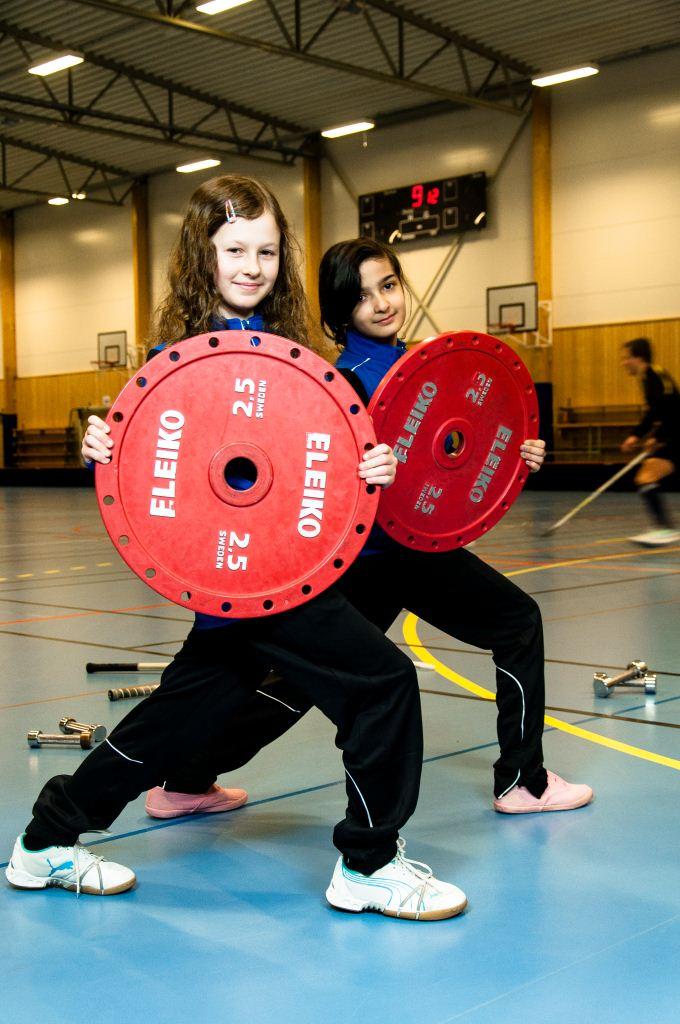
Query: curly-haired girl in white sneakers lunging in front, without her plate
233, 266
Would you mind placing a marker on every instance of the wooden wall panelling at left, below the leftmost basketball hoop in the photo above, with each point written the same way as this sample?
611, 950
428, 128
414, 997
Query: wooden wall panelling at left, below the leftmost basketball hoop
47, 402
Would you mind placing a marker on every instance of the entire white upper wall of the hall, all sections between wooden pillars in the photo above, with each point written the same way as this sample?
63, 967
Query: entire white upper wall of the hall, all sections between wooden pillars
616, 218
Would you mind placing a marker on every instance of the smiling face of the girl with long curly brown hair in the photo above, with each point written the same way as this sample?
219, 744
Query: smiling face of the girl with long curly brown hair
248, 257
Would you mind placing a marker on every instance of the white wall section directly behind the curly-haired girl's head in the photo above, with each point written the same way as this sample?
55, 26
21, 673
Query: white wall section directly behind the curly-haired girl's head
169, 194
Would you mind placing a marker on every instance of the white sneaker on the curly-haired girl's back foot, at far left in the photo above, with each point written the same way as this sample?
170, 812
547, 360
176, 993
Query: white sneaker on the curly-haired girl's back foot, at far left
69, 868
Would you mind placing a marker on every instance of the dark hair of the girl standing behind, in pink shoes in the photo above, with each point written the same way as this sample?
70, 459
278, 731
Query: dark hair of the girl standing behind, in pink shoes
341, 282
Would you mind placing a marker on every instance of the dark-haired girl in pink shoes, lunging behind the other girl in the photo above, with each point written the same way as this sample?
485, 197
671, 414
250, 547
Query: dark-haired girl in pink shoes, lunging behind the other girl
363, 296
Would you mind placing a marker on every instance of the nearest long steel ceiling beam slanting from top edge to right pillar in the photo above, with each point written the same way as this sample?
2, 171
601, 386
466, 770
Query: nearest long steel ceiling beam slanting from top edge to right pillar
295, 53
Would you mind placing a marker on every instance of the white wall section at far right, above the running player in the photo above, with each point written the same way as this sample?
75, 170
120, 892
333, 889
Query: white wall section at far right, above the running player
617, 194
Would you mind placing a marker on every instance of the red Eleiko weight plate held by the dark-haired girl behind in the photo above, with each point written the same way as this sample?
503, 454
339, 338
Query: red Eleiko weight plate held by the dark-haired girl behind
455, 411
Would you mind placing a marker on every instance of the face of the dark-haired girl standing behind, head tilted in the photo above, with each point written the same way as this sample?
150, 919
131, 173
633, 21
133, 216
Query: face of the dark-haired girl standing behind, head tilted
381, 310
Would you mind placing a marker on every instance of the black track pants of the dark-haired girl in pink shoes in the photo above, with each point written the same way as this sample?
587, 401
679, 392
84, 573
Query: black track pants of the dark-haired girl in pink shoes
463, 598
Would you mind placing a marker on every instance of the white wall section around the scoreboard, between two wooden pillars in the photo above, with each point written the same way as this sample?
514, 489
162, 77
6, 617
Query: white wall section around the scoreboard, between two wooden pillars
457, 144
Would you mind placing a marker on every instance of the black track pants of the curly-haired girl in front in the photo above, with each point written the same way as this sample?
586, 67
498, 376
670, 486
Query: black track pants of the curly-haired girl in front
341, 663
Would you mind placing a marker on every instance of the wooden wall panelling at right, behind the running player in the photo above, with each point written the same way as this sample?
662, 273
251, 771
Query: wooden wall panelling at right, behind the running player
587, 367
